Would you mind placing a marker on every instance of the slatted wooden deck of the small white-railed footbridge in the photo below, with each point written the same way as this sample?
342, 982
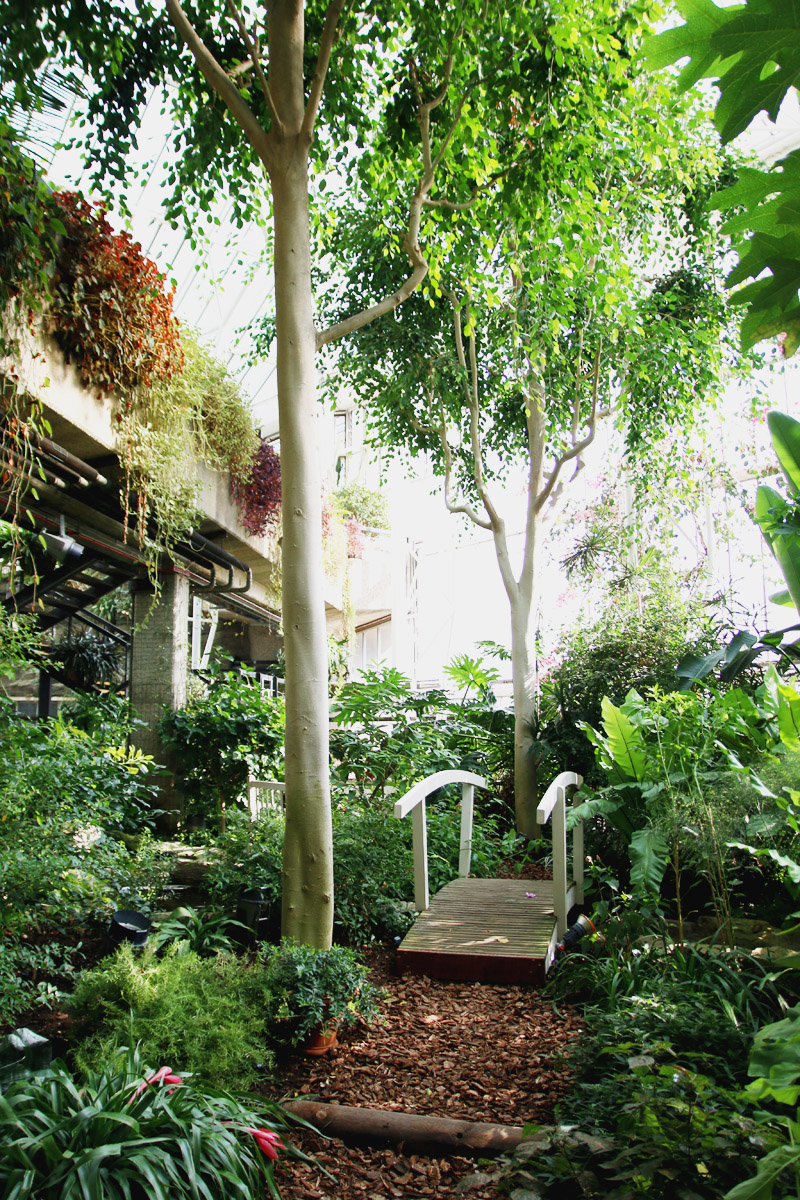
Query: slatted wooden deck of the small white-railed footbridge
485, 931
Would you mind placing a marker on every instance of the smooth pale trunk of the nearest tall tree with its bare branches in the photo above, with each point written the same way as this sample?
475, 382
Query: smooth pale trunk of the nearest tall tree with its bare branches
308, 902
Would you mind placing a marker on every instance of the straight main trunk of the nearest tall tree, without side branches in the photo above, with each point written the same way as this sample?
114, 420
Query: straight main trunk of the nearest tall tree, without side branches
308, 910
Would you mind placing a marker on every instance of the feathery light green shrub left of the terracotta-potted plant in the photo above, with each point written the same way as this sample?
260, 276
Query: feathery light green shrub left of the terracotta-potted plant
209, 1015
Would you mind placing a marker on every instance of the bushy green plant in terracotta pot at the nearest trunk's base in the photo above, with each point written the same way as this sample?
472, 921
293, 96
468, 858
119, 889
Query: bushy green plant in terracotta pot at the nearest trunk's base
315, 989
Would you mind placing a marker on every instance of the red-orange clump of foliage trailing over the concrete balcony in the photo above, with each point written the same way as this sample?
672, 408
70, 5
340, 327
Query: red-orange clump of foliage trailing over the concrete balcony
113, 317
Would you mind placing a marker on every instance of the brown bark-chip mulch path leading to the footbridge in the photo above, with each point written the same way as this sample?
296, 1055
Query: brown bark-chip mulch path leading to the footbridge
470, 1052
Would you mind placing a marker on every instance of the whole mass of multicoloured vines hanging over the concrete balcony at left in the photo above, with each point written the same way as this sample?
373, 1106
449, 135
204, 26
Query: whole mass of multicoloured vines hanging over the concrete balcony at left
64, 269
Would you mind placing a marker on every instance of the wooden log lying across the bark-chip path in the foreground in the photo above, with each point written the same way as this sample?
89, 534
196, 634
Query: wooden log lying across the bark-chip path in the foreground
424, 1135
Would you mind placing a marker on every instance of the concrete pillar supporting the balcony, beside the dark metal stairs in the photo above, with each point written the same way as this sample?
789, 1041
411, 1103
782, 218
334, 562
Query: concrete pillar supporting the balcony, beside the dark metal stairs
160, 670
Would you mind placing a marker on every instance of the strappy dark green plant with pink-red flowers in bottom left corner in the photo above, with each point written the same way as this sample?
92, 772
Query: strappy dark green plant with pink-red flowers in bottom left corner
128, 1131
